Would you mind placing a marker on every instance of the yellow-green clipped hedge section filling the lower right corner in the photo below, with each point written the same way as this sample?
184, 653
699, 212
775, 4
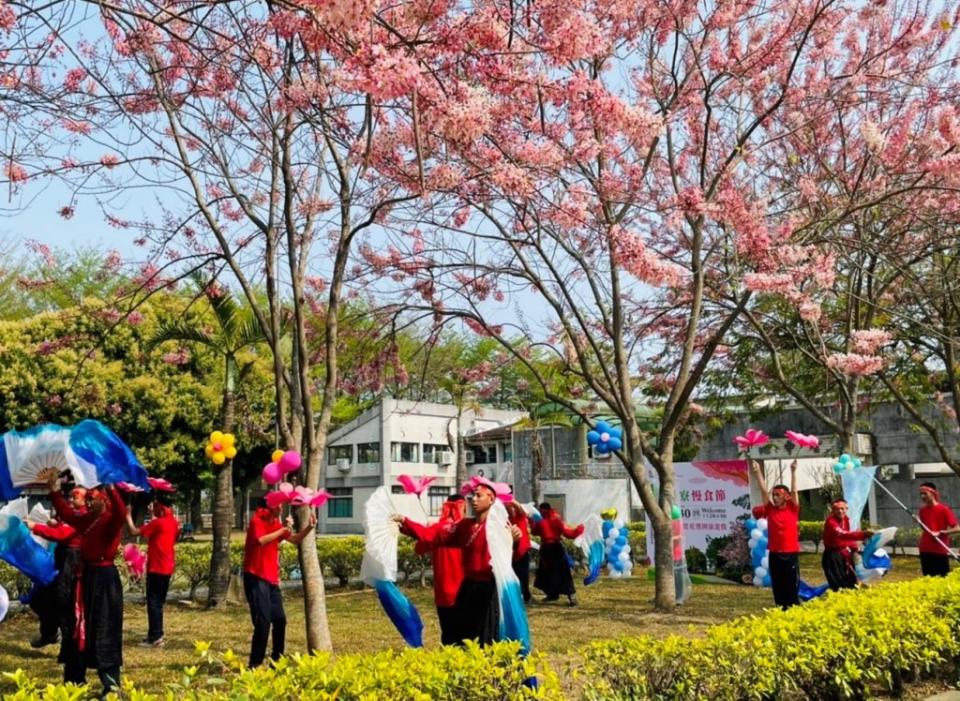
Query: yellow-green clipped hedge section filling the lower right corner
844, 646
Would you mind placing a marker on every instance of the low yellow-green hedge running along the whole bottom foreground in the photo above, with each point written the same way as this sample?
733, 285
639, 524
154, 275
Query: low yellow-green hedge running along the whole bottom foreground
848, 645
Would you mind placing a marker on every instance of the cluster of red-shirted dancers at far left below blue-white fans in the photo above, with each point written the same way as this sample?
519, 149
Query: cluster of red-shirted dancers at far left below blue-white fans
83, 606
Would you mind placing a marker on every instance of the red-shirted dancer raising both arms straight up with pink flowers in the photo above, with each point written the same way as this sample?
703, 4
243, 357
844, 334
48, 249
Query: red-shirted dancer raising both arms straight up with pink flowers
781, 508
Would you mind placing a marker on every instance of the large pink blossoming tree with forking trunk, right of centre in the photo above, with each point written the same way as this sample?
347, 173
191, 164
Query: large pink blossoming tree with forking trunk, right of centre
608, 178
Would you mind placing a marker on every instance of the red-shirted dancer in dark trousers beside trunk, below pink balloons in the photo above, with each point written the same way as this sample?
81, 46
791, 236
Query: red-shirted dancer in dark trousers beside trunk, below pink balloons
261, 577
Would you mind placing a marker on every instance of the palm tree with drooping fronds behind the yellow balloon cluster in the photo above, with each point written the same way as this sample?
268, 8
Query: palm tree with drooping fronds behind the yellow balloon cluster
237, 329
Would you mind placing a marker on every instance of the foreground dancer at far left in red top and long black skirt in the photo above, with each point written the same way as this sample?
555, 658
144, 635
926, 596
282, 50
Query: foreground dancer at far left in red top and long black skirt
99, 601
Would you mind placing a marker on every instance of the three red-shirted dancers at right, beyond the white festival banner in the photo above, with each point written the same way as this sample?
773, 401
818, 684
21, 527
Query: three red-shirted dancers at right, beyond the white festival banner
781, 507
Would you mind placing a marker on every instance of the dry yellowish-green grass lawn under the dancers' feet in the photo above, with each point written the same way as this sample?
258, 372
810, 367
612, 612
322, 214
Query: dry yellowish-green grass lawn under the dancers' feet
609, 608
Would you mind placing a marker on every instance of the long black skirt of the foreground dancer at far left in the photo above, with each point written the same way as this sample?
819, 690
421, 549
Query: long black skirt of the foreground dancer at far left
103, 616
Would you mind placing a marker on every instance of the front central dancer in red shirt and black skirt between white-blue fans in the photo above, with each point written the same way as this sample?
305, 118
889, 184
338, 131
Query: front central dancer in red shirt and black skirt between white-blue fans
476, 610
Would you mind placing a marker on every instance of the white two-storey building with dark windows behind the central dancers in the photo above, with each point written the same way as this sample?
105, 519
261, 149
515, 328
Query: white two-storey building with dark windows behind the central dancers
399, 437
